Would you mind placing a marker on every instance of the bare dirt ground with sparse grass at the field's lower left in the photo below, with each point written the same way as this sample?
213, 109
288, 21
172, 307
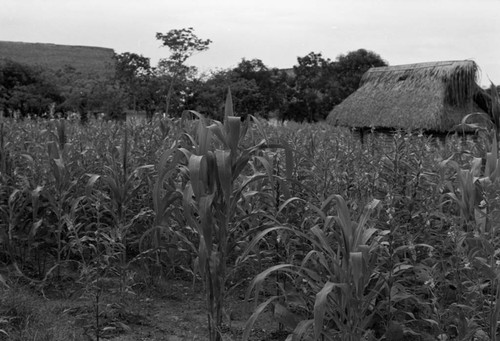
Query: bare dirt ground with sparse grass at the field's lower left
172, 311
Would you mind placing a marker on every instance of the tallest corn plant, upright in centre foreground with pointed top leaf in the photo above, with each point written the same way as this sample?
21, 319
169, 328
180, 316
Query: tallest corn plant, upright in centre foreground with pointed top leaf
217, 176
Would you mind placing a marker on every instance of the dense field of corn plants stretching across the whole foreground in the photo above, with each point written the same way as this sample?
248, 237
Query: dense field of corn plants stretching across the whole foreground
338, 240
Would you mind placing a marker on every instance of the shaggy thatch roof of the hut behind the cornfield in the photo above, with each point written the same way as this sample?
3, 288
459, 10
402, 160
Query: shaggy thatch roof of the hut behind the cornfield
426, 96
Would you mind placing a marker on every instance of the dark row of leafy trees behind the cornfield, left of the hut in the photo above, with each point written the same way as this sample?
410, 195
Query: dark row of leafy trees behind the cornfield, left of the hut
306, 92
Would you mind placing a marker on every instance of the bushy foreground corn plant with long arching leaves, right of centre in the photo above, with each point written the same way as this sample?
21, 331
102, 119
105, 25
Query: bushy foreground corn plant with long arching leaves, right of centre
336, 282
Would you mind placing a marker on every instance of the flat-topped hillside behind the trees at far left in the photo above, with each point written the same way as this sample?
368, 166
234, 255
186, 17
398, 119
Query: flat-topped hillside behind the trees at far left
86, 60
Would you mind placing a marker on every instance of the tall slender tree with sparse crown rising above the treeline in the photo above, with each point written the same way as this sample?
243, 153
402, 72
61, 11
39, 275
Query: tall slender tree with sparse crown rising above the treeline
183, 43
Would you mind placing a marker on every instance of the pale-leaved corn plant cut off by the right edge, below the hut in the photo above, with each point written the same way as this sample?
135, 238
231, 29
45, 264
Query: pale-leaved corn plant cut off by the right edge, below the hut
475, 240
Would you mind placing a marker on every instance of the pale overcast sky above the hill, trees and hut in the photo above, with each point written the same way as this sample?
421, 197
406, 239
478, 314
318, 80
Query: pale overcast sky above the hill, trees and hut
275, 31
